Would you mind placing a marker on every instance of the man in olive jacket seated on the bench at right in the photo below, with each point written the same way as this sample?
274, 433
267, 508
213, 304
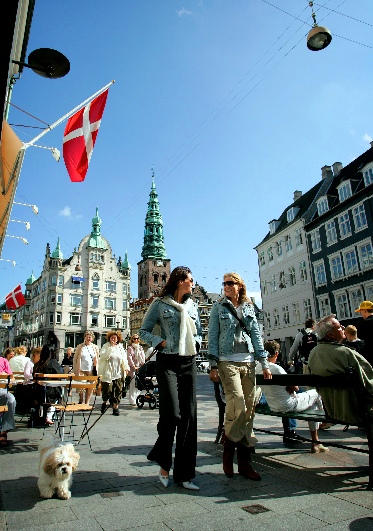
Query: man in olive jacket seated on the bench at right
329, 357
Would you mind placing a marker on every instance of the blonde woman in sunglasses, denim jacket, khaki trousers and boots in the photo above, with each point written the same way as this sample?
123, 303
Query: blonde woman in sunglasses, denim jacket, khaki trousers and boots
232, 354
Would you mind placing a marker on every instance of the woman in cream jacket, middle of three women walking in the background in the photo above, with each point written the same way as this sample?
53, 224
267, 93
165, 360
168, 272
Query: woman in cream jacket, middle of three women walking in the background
112, 368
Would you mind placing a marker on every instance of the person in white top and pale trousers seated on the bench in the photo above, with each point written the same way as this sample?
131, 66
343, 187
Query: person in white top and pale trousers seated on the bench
284, 399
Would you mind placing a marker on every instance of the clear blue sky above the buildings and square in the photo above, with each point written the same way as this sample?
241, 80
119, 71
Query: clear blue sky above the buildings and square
223, 99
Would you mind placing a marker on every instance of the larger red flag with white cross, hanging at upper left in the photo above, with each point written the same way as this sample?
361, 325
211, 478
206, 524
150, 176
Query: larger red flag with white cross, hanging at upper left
80, 137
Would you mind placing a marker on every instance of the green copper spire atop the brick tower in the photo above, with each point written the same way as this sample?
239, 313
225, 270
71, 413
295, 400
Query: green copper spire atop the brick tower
153, 233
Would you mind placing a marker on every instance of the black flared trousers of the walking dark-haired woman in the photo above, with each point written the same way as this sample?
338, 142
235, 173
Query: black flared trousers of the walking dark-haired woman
176, 376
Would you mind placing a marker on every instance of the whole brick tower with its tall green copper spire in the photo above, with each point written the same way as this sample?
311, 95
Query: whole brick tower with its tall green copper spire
154, 268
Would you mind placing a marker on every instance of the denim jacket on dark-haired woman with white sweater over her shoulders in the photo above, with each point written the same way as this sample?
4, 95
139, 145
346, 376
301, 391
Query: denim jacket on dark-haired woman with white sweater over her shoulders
168, 319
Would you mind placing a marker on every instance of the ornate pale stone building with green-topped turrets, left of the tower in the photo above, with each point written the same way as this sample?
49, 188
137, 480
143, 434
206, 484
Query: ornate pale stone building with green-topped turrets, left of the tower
88, 290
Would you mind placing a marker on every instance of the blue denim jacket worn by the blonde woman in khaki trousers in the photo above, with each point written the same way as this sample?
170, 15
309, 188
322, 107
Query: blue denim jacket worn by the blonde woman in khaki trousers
222, 326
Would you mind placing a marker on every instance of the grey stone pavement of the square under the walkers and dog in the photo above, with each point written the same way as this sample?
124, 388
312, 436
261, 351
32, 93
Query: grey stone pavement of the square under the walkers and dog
116, 488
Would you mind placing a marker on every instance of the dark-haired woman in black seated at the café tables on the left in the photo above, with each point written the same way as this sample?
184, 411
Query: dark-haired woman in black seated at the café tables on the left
48, 365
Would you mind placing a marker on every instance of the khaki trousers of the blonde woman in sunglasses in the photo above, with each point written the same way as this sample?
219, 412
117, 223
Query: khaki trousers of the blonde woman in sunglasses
238, 379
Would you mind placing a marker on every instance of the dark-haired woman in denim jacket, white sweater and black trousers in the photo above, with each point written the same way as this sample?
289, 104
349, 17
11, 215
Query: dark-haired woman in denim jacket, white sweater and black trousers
180, 337
